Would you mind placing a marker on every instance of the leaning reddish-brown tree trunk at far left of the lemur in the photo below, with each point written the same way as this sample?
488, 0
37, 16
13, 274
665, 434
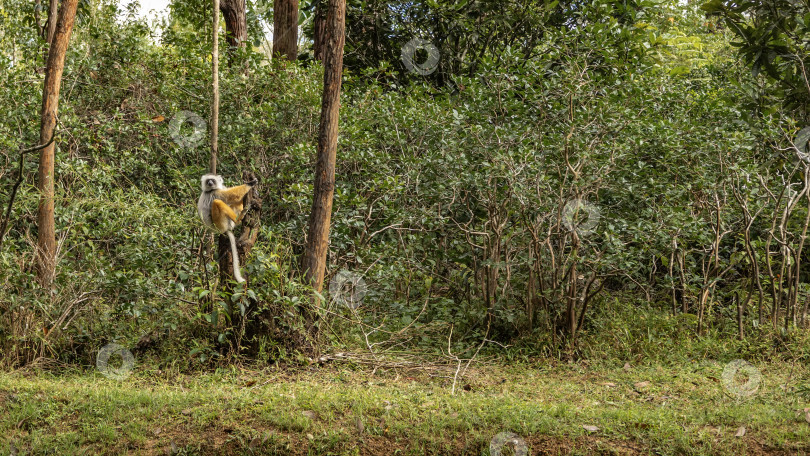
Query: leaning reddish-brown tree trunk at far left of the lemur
46, 235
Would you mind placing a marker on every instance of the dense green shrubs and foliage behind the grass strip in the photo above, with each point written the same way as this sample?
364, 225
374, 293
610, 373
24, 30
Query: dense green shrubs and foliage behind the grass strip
456, 197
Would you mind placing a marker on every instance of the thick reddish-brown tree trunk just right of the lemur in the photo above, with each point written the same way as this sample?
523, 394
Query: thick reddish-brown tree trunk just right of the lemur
314, 263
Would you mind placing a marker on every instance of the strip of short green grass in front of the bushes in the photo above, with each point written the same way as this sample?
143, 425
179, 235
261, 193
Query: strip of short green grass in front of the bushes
342, 409
